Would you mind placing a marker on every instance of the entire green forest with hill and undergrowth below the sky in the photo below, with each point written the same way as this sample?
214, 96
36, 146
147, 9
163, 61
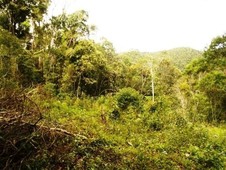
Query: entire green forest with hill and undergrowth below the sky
69, 102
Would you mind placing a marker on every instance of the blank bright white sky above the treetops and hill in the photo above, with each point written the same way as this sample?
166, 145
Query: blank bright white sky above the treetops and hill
151, 25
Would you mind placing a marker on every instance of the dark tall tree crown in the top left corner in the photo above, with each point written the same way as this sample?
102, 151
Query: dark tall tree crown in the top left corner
21, 14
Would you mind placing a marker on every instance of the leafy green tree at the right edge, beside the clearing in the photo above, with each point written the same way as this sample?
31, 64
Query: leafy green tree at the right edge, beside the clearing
210, 77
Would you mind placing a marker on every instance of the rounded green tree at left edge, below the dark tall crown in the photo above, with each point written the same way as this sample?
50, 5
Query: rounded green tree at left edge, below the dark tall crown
16, 67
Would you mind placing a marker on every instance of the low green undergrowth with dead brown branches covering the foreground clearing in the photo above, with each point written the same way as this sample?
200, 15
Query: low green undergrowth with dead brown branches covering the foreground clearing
112, 137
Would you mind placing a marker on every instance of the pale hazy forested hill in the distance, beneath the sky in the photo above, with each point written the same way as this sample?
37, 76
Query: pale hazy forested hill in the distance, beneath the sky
180, 57
